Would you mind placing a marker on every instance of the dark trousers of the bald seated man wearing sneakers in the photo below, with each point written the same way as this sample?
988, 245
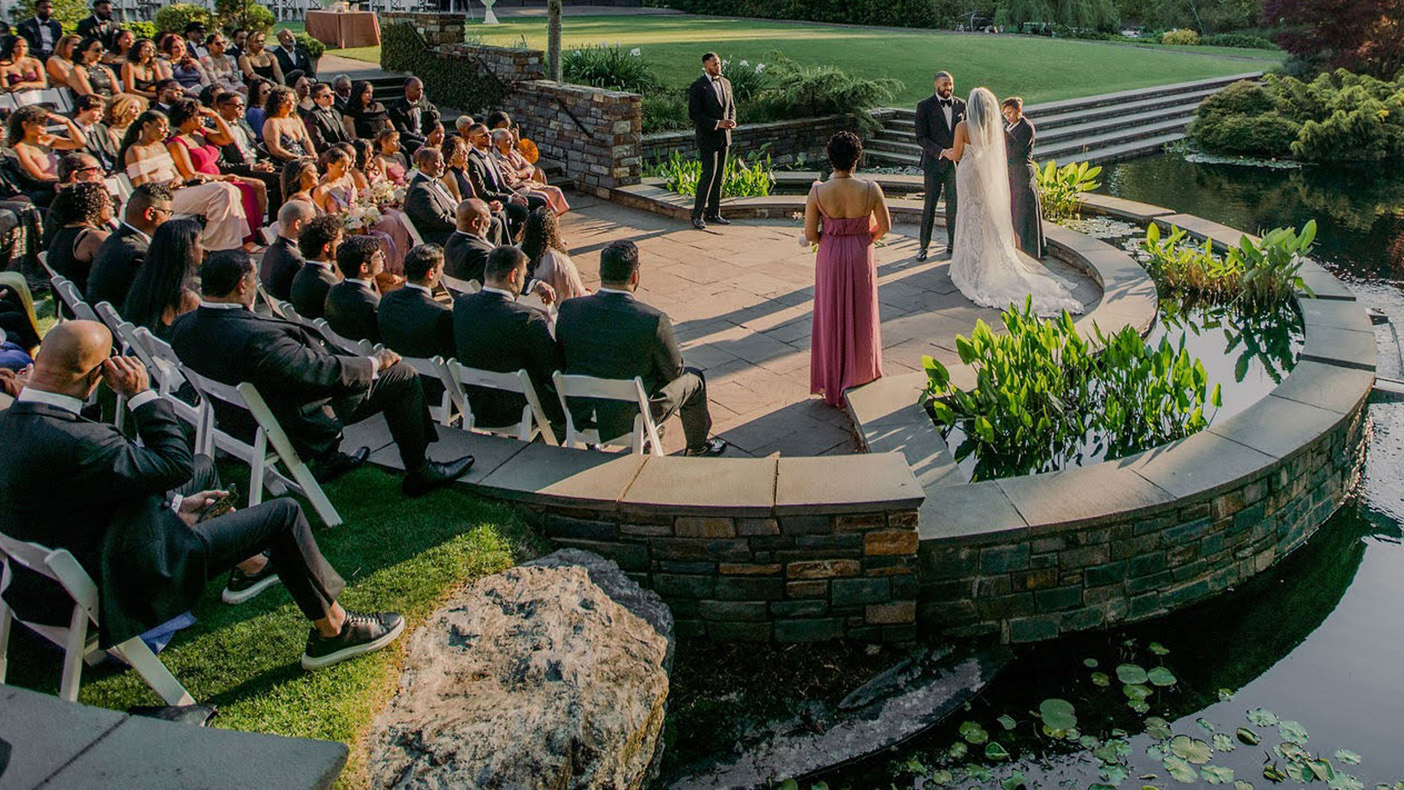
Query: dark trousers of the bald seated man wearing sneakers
279, 528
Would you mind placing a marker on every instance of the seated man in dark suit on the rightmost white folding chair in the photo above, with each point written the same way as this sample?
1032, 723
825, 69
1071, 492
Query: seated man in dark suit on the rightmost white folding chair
614, 336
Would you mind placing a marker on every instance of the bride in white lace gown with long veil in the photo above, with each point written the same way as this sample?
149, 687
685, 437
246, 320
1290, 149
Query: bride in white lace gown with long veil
986, 266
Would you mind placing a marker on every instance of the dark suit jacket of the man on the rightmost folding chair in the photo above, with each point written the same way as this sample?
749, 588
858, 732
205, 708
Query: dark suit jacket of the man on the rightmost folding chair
614, 336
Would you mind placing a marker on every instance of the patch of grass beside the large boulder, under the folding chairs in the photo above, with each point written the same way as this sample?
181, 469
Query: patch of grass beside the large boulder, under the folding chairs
397, 555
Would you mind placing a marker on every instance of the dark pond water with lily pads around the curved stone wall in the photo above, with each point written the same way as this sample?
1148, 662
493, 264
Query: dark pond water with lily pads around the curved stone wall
1319, 642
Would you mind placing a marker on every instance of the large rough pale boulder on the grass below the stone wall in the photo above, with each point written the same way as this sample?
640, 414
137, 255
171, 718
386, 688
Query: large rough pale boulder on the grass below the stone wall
538, 677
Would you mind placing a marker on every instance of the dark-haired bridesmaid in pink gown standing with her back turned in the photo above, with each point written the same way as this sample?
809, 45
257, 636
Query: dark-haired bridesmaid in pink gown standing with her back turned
846, 215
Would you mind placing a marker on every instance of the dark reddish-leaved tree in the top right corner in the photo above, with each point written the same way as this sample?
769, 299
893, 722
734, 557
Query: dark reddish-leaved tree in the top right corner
1363, 36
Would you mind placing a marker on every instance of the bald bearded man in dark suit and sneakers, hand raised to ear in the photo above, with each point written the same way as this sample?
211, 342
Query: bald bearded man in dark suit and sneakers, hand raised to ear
151, 554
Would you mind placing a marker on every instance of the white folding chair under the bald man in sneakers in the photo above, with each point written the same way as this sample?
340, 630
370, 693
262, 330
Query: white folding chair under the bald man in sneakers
77, 641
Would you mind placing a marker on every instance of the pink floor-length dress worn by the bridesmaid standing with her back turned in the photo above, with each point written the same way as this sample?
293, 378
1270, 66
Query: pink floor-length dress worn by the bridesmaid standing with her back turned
846, 349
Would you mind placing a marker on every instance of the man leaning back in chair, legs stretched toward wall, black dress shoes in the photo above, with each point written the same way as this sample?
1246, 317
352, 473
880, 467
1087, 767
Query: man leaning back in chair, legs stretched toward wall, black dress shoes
311, 392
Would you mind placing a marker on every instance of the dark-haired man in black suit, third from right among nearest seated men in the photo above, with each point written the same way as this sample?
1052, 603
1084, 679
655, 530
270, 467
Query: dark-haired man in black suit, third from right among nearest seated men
412, 322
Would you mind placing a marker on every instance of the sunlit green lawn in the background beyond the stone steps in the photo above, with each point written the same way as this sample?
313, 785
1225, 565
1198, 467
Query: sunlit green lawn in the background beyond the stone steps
1038, 69
